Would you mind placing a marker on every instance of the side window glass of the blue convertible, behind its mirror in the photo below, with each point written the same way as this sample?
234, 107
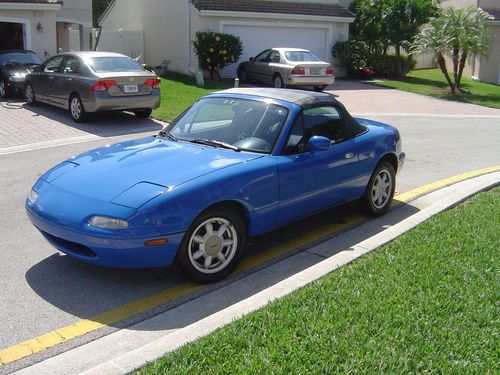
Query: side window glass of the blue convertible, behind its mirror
326, 122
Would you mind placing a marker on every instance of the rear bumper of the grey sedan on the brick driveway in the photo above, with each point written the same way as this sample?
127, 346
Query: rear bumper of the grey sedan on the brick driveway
101, 101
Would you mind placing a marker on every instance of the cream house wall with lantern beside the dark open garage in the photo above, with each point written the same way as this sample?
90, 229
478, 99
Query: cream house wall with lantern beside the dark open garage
43, 43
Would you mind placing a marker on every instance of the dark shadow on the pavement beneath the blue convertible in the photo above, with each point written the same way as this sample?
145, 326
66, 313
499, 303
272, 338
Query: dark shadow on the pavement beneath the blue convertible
85, 291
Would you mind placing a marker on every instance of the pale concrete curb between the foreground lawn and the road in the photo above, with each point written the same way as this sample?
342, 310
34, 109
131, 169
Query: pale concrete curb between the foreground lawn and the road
425, 207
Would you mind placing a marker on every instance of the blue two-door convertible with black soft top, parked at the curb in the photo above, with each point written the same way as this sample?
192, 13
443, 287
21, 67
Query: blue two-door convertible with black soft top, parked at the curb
237, 163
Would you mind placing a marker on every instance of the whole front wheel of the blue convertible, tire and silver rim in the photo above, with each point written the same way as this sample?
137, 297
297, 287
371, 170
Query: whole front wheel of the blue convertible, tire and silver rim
223, 232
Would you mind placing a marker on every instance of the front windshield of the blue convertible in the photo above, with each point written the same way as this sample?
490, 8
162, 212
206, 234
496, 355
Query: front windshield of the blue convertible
238, 124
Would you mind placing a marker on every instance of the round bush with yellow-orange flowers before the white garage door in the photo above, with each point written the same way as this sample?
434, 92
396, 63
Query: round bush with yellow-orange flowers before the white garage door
216, 50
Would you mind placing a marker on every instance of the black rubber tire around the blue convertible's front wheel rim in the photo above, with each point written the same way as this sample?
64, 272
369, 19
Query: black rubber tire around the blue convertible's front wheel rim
182, 256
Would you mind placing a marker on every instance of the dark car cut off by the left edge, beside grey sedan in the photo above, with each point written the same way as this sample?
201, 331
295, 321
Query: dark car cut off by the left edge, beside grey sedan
14, 66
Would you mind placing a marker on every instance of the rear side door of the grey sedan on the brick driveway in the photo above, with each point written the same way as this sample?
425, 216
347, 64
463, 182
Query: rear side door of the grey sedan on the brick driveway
67, 80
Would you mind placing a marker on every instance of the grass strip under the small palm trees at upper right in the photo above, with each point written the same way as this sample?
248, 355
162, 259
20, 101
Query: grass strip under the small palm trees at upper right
432, 82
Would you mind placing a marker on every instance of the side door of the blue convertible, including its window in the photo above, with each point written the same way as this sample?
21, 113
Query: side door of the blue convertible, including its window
310, 181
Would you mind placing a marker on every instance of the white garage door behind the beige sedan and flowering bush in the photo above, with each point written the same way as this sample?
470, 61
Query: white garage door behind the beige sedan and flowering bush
258, 38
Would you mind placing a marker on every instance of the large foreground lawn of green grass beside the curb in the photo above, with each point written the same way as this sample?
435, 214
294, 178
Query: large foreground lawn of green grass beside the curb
426, 303
